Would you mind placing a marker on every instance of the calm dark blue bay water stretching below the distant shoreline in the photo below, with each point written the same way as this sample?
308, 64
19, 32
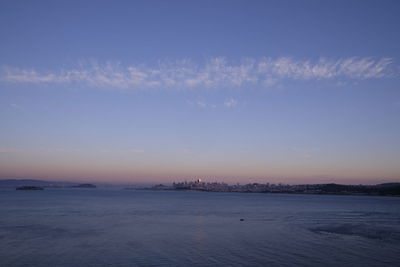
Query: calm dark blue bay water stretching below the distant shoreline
96, 227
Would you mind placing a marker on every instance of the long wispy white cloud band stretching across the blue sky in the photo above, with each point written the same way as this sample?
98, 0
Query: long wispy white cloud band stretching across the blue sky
212, 73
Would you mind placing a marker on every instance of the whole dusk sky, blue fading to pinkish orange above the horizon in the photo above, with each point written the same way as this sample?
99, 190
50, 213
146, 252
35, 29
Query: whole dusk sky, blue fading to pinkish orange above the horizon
233, 91
